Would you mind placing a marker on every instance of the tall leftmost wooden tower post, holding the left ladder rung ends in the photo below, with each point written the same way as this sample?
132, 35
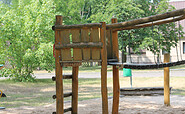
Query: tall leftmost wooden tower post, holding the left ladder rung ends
58, 71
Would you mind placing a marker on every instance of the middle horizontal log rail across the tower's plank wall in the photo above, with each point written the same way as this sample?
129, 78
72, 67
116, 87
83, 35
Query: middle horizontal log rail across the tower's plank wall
79, 45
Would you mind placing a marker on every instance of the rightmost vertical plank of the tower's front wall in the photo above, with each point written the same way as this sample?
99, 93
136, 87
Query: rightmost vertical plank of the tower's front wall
95, 37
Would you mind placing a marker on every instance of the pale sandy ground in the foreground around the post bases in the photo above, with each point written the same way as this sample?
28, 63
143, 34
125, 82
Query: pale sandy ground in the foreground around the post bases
128, 105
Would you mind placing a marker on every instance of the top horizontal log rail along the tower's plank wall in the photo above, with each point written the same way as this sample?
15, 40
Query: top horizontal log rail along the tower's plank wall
79, 26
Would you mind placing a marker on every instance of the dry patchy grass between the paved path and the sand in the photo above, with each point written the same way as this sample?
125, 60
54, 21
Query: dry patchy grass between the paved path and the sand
40, 92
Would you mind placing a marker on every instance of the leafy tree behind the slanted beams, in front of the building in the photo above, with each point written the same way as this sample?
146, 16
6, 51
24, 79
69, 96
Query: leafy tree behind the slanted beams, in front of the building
145, 38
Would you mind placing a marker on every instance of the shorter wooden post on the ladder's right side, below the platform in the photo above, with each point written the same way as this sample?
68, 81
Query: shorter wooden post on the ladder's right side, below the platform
75, 90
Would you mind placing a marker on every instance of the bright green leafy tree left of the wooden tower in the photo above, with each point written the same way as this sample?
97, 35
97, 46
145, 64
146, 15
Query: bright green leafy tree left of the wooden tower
23, 28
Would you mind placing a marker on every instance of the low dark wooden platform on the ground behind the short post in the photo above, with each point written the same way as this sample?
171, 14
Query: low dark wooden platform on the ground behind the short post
142, 91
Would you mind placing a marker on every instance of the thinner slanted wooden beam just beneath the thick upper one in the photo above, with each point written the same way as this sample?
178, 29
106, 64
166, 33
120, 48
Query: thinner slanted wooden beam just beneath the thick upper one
150, 24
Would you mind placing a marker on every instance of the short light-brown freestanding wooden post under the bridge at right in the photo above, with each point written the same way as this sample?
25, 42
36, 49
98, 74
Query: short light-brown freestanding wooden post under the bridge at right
166, 81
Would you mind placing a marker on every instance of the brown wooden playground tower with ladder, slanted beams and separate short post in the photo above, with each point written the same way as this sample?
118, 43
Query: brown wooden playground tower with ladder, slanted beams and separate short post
98, 42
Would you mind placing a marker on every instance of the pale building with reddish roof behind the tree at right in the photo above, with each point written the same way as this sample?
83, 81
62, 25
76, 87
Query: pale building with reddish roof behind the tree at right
148, 56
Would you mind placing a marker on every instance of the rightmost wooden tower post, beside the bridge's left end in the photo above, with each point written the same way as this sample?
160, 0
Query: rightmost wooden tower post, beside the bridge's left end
116, 87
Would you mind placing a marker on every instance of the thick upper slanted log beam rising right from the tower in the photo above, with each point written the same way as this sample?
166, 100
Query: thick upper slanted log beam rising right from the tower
153, 18
